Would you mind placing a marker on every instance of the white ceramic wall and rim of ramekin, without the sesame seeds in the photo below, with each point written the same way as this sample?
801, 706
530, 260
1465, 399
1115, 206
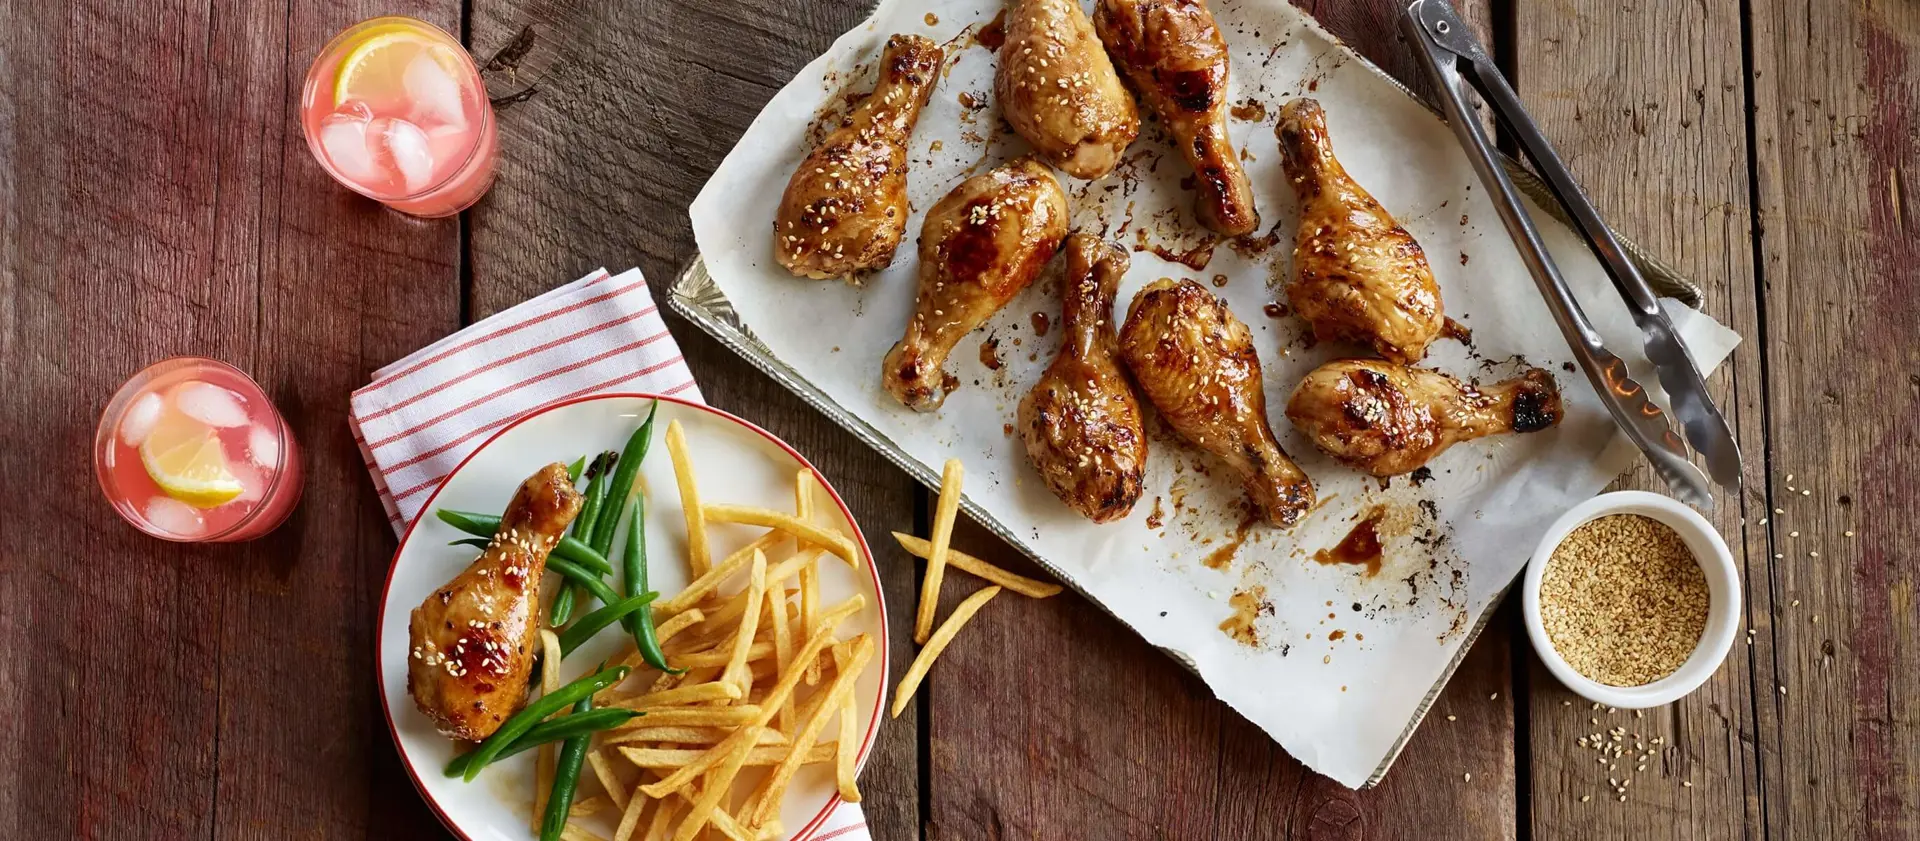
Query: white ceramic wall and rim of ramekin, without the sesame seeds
1723, 589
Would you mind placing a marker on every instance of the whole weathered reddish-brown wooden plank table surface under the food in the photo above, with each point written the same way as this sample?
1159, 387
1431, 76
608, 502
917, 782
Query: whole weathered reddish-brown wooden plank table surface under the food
158, 199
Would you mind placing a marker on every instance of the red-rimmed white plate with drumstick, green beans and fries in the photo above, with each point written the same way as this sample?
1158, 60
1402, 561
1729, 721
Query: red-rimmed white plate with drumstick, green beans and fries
719, 669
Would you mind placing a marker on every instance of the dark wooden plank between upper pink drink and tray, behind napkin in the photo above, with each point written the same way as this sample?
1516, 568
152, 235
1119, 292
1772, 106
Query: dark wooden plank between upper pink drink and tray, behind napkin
629, 118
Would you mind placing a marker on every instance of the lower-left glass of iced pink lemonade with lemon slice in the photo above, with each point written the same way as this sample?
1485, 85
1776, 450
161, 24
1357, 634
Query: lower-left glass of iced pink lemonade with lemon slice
191, 450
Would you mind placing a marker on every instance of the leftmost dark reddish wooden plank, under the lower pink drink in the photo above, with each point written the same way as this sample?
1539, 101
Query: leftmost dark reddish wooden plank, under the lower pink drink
160, 201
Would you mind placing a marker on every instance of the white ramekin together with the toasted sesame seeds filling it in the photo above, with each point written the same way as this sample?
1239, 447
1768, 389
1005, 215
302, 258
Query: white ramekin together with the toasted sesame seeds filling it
1633, 600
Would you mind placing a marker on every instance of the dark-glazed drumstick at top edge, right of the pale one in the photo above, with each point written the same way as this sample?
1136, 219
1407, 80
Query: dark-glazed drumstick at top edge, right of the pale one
1176, 59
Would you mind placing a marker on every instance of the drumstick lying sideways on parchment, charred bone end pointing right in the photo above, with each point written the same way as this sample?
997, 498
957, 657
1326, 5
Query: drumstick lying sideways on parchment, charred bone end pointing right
1391, 420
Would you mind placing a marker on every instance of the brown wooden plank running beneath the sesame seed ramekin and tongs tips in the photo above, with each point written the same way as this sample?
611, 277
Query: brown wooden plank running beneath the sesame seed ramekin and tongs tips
1652, 122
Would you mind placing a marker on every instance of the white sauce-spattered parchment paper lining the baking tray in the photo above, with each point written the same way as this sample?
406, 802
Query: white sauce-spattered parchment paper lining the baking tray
1333, 661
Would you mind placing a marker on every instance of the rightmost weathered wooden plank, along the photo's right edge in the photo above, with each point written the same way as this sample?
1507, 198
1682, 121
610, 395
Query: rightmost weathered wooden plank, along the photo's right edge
1836, 151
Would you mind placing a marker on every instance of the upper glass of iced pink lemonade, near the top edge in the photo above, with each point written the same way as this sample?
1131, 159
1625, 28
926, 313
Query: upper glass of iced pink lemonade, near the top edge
395, 108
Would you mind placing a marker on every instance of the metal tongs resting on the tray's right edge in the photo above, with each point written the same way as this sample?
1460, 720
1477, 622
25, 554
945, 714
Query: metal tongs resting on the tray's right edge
1454, 59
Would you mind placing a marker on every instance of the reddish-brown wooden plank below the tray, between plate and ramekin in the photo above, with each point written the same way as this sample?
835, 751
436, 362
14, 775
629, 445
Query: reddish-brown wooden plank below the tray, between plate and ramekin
1051, 719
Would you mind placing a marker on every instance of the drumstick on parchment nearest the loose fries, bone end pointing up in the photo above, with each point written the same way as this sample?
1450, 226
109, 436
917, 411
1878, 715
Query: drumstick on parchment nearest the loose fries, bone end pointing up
1080, 421
